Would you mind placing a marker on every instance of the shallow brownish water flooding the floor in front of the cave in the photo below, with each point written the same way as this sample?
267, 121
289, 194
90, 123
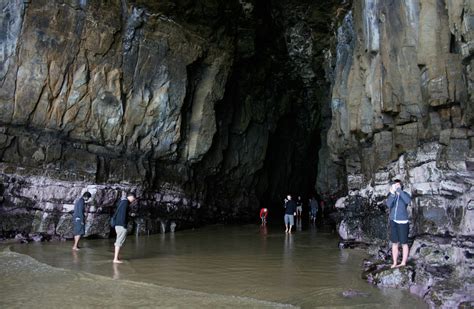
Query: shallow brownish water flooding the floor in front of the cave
305, 269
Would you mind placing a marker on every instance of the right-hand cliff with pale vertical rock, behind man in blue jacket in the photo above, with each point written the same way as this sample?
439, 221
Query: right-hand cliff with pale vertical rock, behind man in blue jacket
402, 107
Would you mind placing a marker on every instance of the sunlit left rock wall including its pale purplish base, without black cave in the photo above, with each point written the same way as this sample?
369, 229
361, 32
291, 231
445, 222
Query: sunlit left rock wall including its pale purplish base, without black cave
98, 94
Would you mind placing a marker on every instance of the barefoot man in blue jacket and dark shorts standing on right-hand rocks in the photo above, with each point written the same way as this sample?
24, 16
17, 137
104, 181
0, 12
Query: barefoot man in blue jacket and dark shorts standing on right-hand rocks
398, 201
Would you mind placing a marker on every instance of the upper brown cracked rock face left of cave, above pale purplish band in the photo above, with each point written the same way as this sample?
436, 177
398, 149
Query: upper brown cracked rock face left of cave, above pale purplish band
112, 79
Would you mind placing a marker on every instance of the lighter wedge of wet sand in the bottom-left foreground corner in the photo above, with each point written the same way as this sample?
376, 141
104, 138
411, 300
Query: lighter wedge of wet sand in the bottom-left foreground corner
27, 283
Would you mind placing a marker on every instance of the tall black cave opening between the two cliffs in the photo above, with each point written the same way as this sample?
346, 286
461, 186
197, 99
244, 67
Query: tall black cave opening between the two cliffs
266, 88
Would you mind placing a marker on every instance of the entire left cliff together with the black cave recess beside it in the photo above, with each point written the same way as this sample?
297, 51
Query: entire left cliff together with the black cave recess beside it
204, 108
